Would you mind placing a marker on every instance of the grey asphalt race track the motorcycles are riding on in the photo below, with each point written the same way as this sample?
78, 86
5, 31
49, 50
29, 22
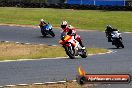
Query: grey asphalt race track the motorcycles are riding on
18, 72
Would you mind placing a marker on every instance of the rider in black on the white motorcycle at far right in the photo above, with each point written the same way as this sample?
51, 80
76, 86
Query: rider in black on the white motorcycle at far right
108, 32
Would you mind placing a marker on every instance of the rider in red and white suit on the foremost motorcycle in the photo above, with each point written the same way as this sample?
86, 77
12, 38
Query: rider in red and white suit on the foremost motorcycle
70, 30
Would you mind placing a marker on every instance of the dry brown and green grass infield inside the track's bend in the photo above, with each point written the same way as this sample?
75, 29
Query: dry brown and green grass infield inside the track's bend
13, 51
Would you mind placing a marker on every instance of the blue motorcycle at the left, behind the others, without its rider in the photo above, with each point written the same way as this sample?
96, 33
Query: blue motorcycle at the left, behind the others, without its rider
47, 30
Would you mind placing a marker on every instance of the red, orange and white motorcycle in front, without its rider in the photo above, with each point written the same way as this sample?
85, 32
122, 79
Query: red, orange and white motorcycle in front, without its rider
72, 47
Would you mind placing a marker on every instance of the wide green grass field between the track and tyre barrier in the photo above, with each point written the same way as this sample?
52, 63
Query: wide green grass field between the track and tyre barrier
82, 19
